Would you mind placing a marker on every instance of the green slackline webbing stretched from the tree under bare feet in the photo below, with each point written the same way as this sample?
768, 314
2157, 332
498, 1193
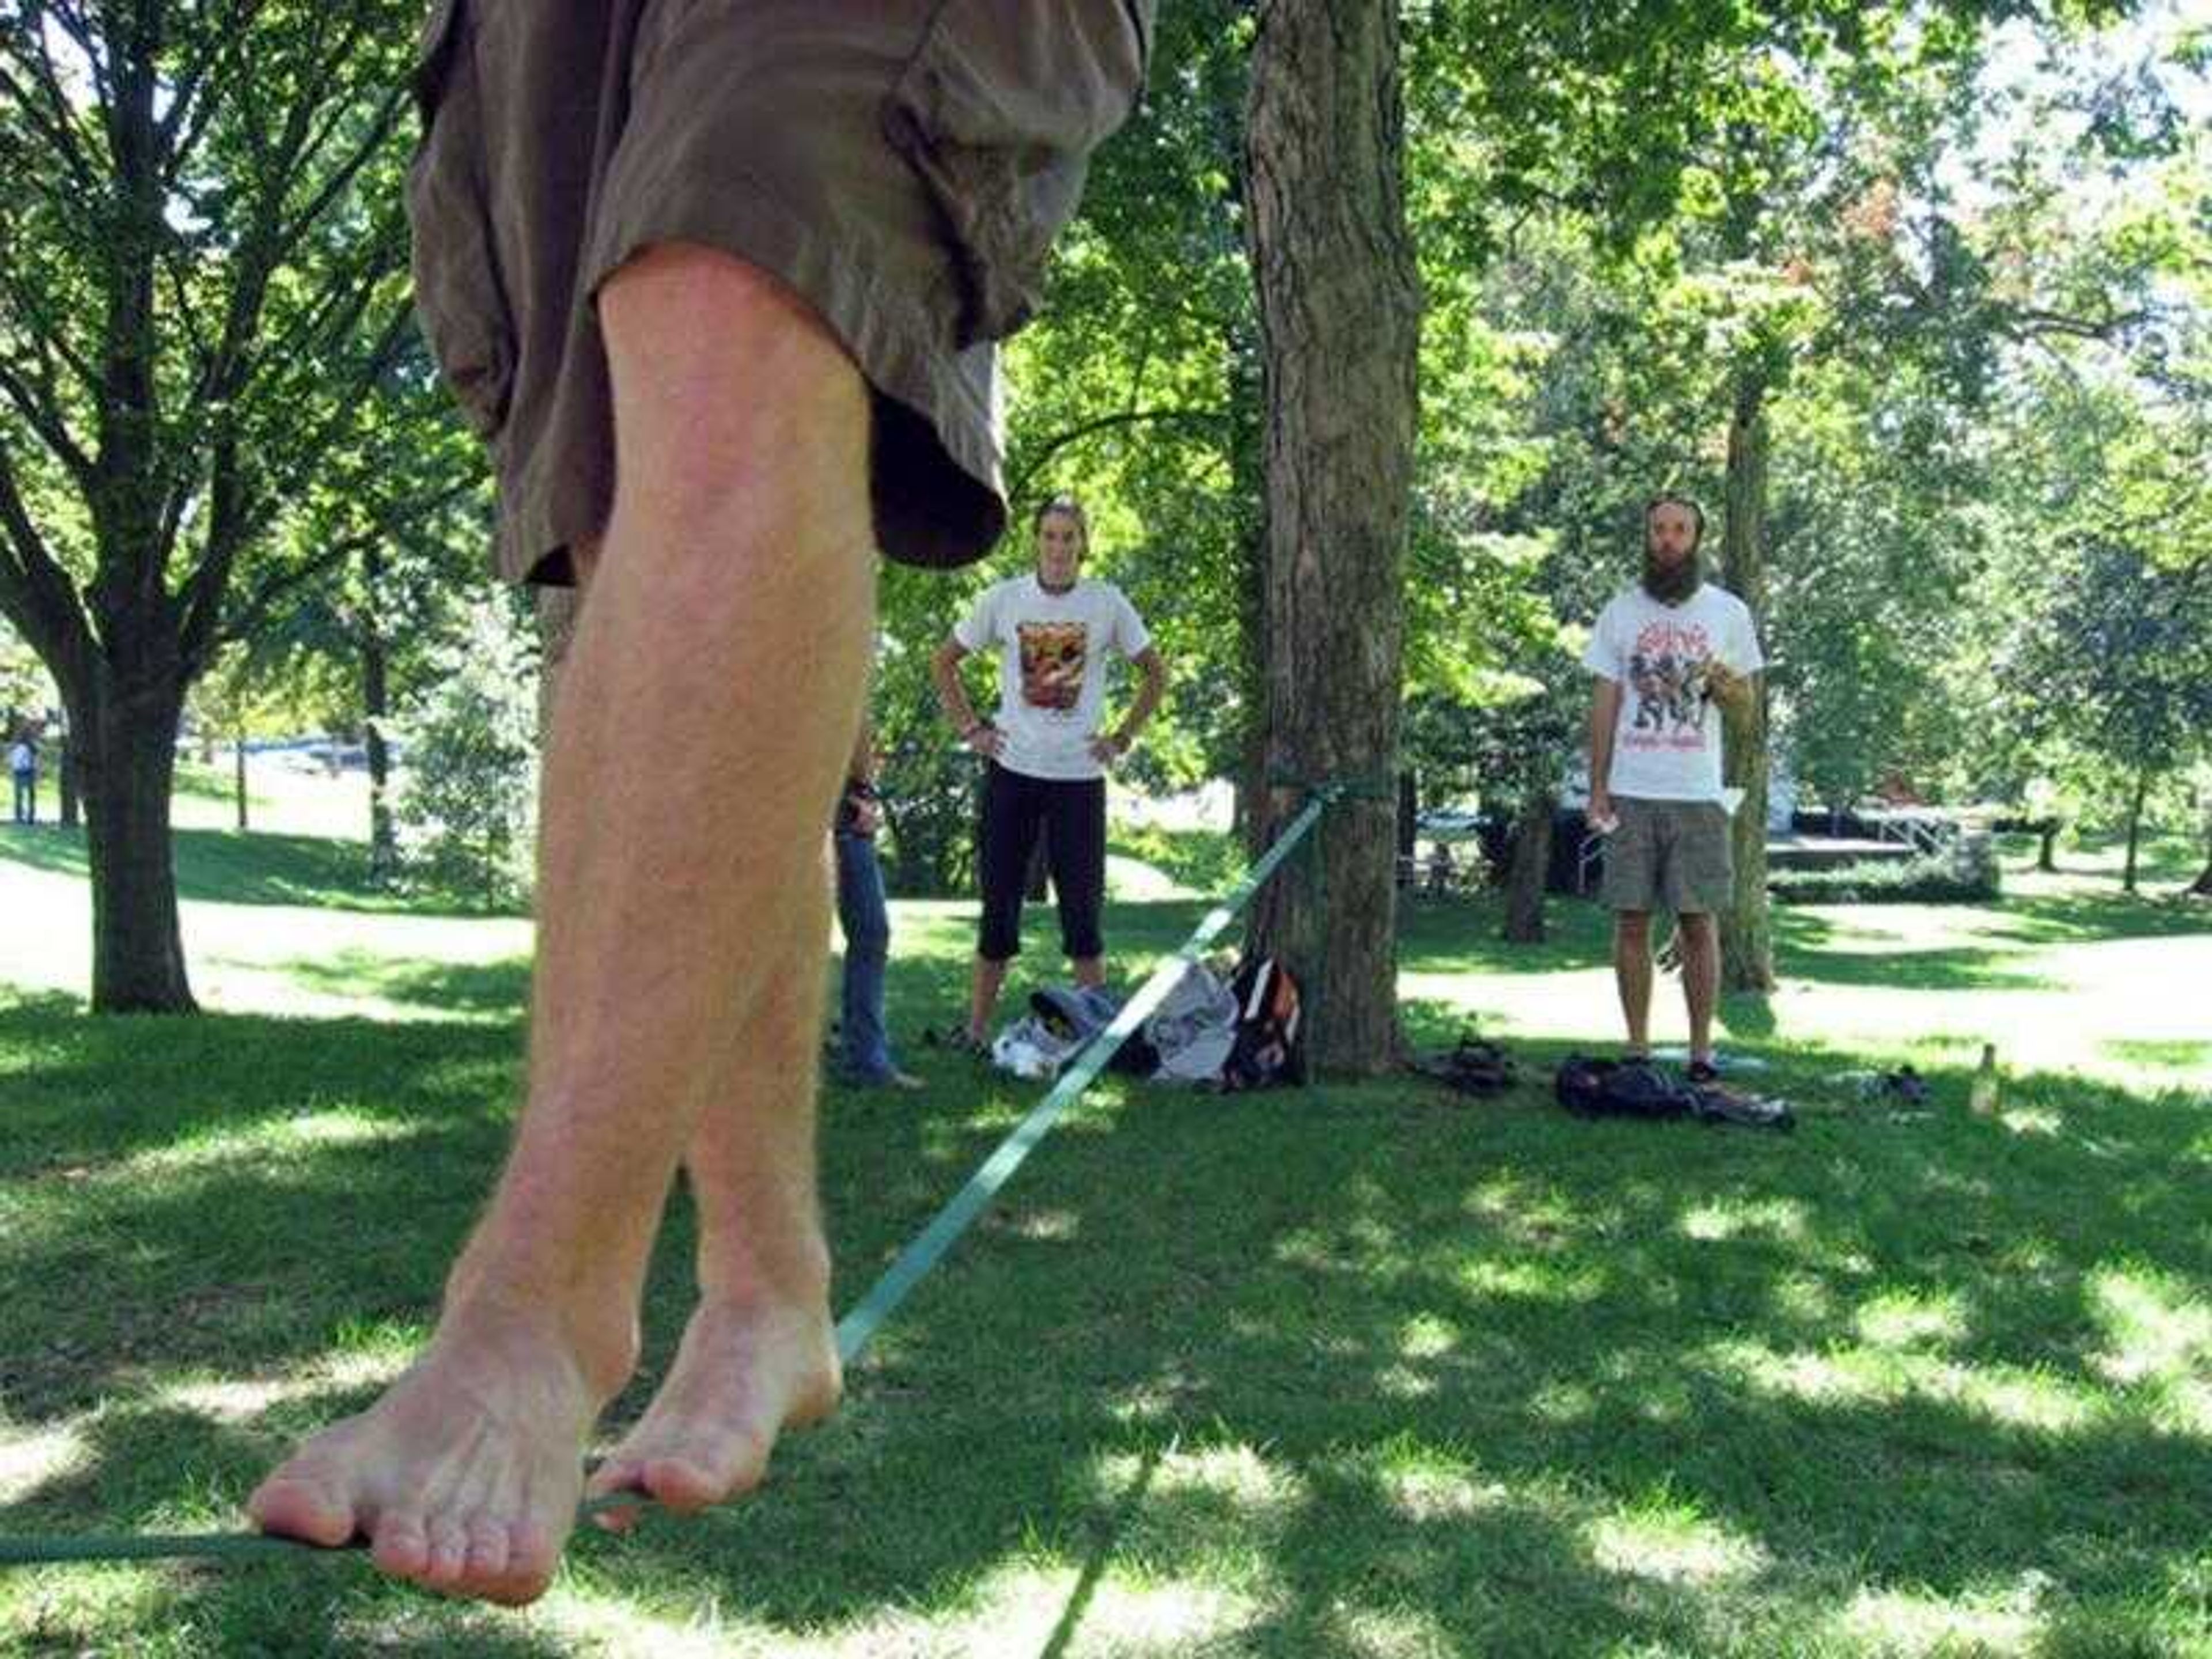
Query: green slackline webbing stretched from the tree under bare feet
866, 1317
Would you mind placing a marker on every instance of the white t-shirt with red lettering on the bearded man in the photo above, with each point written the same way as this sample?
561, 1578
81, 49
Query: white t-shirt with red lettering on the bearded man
1667, 744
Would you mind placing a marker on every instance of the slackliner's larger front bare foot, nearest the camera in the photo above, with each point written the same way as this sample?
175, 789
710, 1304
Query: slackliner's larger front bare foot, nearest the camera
463, 1477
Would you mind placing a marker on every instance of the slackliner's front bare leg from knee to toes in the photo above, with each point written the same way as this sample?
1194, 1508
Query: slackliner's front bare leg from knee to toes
700, 731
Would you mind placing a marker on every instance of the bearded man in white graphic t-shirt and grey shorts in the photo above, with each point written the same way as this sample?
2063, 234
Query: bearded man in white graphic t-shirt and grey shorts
1665, 651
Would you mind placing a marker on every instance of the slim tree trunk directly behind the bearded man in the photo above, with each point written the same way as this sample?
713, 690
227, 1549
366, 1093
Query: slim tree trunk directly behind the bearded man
1746, 930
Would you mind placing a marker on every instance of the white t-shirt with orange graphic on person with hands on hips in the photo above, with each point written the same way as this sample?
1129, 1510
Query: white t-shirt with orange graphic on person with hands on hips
1052, 669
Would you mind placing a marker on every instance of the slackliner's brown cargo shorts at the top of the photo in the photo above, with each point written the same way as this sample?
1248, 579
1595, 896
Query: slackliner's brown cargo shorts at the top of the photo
901, 165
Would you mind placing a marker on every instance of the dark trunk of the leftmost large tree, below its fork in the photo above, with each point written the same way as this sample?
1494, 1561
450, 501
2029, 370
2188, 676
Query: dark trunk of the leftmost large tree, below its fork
129, 773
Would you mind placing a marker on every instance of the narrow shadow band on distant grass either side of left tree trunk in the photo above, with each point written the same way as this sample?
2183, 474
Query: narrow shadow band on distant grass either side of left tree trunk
231, 868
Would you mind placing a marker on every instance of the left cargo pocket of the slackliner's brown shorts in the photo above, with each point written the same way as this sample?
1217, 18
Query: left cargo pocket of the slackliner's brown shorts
457, 269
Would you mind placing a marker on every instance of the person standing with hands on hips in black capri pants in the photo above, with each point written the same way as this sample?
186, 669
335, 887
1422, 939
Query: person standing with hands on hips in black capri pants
1045, 751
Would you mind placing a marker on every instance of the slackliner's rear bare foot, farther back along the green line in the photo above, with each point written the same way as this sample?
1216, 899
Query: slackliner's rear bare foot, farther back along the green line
742, 1377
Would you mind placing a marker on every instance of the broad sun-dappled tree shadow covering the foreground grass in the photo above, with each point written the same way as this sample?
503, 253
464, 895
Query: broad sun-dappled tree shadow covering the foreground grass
1322, 1364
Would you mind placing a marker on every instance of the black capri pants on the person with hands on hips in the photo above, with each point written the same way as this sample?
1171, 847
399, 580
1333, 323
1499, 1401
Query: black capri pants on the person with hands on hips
1074, 817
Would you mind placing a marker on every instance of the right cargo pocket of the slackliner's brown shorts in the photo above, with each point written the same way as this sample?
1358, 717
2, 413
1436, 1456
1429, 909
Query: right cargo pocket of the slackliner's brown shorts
999, 112
